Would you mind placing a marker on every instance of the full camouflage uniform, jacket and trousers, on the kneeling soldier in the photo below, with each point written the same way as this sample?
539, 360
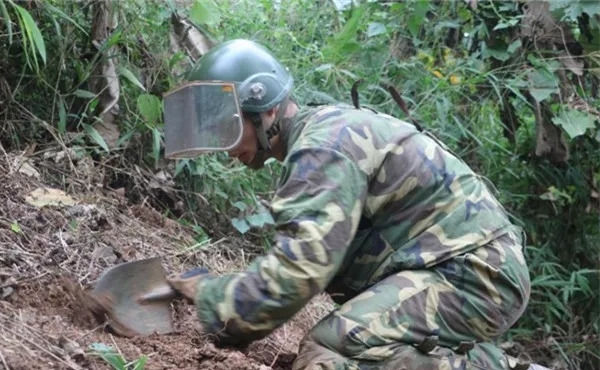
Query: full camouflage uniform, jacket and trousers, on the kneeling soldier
403, 235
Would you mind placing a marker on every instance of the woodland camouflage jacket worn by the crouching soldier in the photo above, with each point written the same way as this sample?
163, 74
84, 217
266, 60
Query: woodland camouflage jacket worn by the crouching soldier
362, 195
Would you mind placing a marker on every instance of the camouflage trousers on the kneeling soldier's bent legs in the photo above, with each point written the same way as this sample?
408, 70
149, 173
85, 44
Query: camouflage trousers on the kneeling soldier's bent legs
445, 317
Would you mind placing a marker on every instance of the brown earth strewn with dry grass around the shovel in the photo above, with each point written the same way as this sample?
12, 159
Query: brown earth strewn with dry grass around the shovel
48, 254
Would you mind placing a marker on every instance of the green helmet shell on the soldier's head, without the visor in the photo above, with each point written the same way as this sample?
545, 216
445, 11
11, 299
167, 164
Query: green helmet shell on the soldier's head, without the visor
261, 81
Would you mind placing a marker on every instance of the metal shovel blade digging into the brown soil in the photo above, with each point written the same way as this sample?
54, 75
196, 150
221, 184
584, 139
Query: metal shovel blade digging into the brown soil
136, 298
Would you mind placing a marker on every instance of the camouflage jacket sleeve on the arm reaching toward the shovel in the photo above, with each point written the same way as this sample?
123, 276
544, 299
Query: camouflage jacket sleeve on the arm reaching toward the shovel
316, 209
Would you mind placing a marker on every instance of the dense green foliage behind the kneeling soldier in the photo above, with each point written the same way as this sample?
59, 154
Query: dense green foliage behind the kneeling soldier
512, 87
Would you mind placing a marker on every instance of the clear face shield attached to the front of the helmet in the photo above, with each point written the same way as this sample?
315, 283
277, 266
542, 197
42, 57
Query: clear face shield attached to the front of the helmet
201, 117
